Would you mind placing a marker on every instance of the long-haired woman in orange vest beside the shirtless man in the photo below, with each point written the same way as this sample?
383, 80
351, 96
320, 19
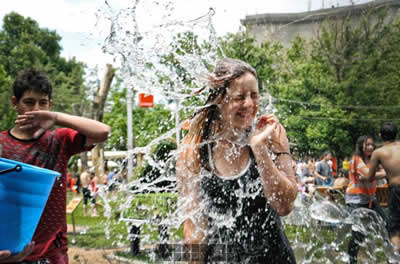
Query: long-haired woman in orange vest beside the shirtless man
361, 194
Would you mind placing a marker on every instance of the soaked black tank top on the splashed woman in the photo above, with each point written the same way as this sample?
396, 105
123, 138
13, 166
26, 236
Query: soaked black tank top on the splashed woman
241, 221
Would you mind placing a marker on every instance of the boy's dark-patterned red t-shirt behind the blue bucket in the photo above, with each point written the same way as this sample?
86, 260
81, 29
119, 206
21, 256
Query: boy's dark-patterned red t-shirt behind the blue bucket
51, 151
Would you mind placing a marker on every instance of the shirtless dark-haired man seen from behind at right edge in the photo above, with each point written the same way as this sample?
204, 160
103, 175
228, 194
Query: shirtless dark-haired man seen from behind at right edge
389, 157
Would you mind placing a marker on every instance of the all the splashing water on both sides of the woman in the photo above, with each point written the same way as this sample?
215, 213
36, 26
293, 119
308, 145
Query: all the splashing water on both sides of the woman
318, 230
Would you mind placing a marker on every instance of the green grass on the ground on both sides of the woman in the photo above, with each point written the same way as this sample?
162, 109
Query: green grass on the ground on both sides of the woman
146, 206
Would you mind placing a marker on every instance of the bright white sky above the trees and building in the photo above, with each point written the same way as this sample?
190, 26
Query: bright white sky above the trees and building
83, 24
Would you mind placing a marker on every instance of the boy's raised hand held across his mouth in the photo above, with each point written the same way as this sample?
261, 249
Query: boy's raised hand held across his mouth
37, 120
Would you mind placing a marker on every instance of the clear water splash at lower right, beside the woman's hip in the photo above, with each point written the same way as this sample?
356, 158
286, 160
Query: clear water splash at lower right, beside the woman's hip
330, 225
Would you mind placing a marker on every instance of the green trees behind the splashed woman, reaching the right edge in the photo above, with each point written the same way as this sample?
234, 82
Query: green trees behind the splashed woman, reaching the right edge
328, 90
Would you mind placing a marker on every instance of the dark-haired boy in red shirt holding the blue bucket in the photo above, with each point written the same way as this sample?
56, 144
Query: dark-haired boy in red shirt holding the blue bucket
31, 141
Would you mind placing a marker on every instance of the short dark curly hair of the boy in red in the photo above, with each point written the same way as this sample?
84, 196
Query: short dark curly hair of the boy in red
32, 79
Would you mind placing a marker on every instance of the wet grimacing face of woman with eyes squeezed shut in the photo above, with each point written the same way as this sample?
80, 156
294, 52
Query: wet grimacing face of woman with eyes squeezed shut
240, 104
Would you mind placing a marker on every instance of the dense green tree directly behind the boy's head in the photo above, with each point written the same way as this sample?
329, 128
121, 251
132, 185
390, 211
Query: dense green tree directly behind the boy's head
24, 44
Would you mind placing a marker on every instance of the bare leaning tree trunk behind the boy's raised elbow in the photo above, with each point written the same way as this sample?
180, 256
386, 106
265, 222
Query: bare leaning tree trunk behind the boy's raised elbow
97, 114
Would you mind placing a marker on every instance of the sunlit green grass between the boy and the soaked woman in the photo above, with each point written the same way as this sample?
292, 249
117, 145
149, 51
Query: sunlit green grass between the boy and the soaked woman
143, 206
